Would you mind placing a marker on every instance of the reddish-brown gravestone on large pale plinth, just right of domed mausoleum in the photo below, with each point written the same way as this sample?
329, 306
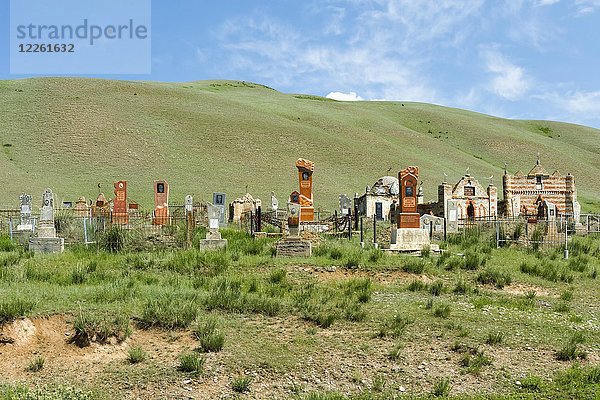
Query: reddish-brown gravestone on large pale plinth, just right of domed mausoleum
408, 235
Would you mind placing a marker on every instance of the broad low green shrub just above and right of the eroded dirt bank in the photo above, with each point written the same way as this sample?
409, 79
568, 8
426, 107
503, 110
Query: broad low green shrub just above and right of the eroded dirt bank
169, 311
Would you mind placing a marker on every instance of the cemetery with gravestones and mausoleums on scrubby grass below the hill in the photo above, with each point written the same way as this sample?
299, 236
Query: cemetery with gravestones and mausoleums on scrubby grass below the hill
461, 271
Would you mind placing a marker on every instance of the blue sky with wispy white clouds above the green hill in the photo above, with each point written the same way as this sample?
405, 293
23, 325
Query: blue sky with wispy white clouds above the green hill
530, 59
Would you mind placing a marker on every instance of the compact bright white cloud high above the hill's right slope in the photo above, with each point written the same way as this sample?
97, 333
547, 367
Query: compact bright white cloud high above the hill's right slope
509, 81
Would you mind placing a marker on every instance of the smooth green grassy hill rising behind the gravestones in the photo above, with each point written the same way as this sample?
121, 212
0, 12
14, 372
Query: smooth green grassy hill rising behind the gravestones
73, 134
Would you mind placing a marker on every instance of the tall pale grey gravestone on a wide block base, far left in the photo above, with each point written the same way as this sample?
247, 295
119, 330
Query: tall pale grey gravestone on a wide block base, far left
46, 240
